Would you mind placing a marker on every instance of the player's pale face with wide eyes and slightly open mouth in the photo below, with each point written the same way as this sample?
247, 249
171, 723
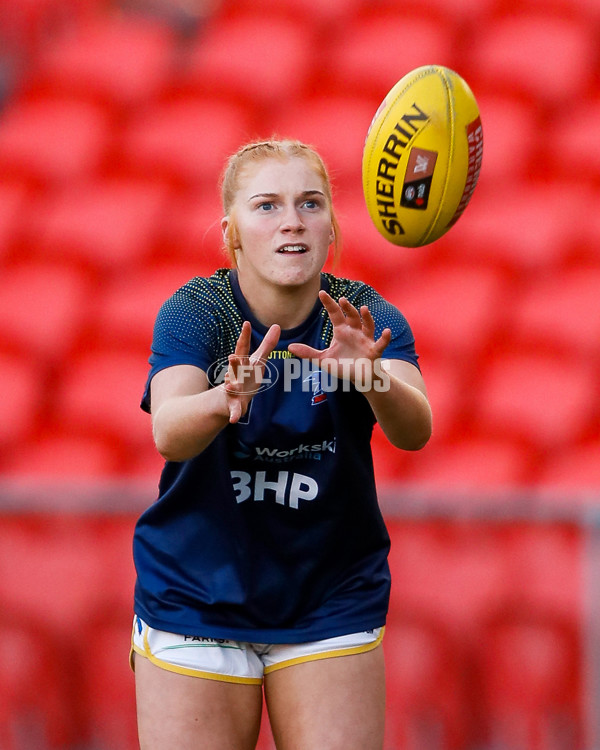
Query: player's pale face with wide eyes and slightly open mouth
282, 222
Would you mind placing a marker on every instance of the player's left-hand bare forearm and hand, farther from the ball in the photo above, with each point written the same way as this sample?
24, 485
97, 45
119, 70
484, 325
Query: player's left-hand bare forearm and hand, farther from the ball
187, 415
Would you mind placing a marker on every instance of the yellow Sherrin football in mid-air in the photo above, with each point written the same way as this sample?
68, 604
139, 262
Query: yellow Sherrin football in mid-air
422, 156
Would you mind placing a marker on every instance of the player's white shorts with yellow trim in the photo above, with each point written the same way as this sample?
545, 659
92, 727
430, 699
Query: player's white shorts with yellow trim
236, 661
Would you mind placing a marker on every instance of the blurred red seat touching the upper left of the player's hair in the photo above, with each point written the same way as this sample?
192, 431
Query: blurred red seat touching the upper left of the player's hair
185, 140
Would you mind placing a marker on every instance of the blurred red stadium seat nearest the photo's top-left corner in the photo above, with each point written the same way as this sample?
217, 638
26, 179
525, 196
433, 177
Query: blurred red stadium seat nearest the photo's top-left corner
116, 59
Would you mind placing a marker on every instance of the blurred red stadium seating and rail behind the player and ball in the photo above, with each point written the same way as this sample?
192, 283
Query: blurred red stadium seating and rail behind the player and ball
115, 119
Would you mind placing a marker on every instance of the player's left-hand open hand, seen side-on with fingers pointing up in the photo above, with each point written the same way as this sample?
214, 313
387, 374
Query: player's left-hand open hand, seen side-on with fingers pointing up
245, 371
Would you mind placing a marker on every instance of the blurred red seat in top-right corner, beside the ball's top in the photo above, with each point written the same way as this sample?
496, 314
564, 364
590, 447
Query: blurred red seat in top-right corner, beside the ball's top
545, 57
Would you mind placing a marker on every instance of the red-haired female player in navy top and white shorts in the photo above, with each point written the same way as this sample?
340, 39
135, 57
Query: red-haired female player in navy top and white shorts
262, 566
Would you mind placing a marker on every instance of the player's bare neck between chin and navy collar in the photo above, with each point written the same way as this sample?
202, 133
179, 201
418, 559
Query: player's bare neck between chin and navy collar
288, 306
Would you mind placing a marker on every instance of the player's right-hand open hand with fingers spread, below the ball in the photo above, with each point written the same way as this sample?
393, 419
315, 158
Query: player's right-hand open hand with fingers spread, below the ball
353, 340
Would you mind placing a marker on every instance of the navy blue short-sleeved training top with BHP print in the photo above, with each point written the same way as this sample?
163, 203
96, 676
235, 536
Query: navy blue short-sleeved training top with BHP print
273, 534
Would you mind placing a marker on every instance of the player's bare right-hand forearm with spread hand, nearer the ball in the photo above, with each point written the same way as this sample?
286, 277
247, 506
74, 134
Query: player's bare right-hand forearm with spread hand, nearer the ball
397, 392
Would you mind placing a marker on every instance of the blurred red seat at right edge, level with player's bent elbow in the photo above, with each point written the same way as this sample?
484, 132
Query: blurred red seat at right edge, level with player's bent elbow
539, 398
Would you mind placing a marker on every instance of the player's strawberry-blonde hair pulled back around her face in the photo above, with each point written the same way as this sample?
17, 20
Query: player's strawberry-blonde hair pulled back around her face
275, 148
